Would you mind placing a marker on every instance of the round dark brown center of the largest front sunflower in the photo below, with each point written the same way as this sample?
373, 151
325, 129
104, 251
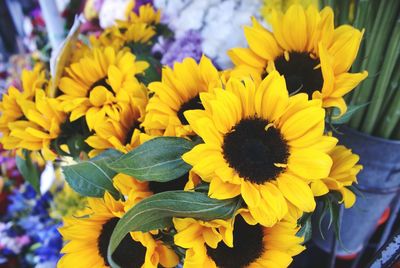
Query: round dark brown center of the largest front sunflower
253, 150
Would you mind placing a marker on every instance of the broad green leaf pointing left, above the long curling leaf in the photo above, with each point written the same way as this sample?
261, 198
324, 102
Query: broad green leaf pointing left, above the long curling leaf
158, 159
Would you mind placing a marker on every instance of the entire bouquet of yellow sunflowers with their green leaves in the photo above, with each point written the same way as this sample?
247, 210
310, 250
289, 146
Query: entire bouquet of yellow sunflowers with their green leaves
192, 164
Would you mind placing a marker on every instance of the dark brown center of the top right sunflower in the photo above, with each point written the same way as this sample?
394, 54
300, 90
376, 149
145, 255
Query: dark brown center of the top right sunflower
300, 73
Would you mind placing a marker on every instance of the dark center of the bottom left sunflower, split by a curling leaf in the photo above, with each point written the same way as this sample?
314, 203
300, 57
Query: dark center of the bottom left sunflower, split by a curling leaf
128, 254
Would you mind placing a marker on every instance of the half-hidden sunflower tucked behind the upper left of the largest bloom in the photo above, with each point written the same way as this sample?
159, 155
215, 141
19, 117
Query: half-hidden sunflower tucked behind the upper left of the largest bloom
178, 92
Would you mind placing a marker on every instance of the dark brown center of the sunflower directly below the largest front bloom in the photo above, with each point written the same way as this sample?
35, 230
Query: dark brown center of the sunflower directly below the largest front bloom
248, 246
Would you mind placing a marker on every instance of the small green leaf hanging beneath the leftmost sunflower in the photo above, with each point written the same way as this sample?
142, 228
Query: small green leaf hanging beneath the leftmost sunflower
29, 170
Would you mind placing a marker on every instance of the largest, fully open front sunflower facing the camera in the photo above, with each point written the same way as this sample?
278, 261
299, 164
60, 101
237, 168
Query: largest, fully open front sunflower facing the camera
260, 144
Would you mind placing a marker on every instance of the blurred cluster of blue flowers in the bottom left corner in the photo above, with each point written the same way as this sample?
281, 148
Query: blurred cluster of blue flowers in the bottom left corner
29, 237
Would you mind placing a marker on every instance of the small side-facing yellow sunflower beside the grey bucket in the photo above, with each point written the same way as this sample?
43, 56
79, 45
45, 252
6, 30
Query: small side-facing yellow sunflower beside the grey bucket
342, 175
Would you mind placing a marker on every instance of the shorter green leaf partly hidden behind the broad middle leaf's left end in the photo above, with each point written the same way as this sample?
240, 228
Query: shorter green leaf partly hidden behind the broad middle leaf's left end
93, 177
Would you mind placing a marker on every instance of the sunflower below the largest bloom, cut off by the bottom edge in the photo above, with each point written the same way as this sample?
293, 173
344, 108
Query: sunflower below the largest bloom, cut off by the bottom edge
240, 243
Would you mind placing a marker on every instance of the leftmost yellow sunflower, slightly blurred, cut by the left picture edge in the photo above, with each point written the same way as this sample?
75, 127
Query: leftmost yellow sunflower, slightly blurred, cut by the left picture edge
30, 119
